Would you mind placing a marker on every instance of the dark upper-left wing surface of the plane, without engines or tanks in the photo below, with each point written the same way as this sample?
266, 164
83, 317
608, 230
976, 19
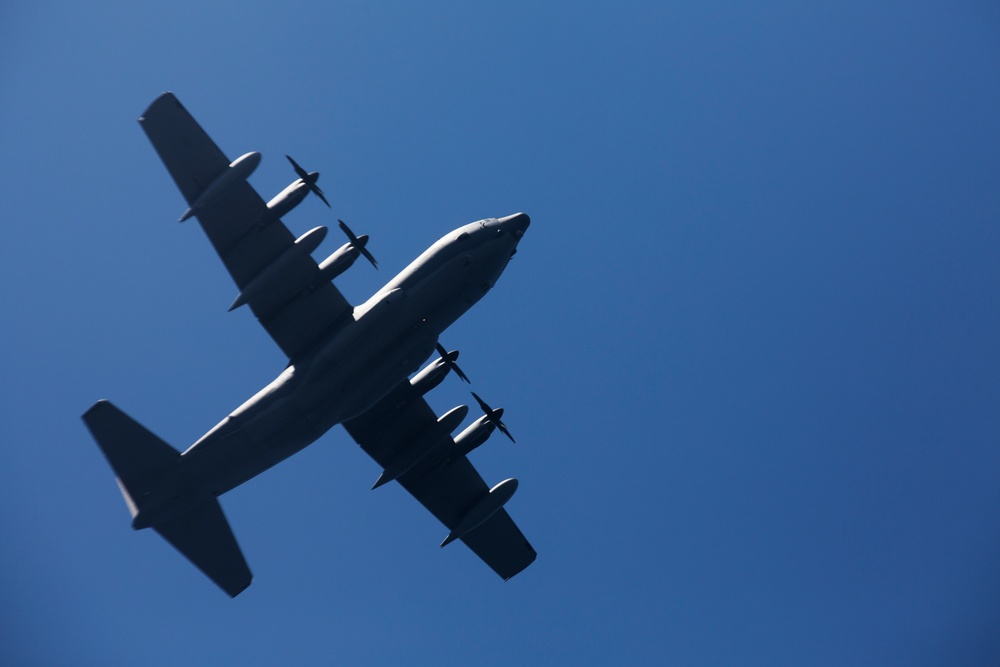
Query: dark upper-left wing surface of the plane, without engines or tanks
294, 320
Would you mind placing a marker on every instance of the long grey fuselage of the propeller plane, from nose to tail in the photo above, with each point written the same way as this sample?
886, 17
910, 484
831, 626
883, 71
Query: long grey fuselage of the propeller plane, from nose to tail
342, 377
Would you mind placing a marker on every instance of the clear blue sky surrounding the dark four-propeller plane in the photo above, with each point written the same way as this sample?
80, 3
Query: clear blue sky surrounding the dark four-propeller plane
748, 347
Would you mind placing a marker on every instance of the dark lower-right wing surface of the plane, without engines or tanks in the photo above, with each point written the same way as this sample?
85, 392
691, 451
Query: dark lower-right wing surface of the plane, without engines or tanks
445, 483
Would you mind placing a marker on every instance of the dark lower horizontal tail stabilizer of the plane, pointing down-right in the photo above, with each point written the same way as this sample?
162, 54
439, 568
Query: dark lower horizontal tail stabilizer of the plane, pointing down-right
205, 538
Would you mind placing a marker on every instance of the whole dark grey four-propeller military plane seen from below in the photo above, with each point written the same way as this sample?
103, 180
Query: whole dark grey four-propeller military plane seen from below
350, 365
